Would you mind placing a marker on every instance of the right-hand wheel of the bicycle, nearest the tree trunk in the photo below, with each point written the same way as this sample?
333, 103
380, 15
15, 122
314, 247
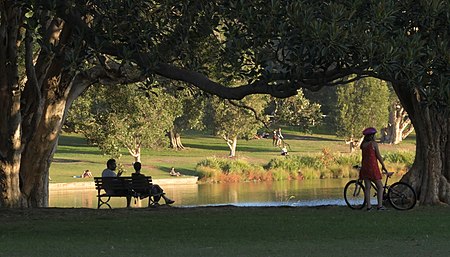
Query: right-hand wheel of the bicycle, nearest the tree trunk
402, 196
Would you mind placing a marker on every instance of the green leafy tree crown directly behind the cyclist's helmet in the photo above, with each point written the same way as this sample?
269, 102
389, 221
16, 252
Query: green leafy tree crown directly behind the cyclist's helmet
363, 103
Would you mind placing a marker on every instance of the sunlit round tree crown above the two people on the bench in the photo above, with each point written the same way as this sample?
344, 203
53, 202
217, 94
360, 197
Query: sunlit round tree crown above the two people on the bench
121, 116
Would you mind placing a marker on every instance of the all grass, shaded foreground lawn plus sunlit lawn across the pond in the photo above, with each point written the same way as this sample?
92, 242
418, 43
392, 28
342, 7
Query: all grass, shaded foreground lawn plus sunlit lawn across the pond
217, 231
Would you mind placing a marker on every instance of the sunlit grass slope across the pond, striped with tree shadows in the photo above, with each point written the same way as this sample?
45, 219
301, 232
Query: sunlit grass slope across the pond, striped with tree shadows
74, 155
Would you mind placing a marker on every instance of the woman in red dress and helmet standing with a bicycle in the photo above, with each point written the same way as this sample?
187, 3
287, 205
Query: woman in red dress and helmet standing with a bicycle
369, 168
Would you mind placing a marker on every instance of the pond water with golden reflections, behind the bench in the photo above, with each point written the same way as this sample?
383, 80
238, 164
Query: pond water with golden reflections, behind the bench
279, 193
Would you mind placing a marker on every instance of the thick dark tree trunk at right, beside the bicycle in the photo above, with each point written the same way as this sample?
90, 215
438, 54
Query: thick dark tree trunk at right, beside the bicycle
430, 172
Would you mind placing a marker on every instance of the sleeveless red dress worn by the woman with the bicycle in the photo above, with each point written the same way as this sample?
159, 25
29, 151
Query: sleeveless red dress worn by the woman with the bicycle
369, 169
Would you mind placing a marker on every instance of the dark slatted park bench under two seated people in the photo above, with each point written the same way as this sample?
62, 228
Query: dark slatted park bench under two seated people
108, 187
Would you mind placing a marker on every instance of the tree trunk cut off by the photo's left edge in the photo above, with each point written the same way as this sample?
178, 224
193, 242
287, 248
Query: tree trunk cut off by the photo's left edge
10, 105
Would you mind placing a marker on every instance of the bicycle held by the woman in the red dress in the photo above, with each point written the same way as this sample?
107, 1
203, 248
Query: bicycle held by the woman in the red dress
400, 194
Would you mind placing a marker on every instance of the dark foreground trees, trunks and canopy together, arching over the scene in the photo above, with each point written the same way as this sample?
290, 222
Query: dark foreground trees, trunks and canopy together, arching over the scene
51, 51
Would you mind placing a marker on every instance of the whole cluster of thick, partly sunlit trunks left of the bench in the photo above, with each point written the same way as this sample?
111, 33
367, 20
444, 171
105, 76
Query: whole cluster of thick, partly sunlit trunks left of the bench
32, 110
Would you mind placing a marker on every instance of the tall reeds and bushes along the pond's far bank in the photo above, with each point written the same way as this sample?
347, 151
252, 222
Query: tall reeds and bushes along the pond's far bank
324, 165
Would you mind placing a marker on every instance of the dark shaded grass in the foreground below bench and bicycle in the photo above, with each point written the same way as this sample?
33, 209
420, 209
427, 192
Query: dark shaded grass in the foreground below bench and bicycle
225, 231
